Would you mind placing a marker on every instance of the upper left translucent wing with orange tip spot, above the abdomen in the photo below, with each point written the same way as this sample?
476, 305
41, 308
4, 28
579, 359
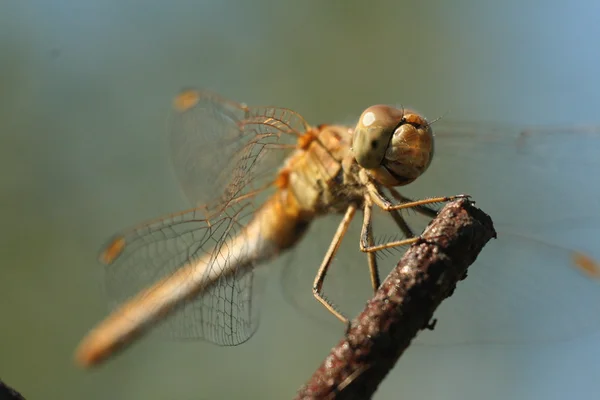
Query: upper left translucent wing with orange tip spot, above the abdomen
220, 148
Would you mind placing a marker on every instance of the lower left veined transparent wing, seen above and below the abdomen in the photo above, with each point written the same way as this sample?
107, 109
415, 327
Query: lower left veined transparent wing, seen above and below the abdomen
224, 314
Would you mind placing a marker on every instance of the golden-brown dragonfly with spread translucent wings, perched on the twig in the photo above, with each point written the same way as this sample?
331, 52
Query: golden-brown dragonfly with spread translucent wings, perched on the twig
260, 177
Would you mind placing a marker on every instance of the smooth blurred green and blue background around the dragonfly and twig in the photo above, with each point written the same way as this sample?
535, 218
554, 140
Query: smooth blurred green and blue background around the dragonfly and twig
85, 87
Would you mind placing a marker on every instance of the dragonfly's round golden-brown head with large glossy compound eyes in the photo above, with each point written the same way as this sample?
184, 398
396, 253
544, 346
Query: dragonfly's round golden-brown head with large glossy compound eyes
394, 145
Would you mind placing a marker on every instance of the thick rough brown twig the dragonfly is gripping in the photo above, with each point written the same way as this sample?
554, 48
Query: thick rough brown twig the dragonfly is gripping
403, 305
